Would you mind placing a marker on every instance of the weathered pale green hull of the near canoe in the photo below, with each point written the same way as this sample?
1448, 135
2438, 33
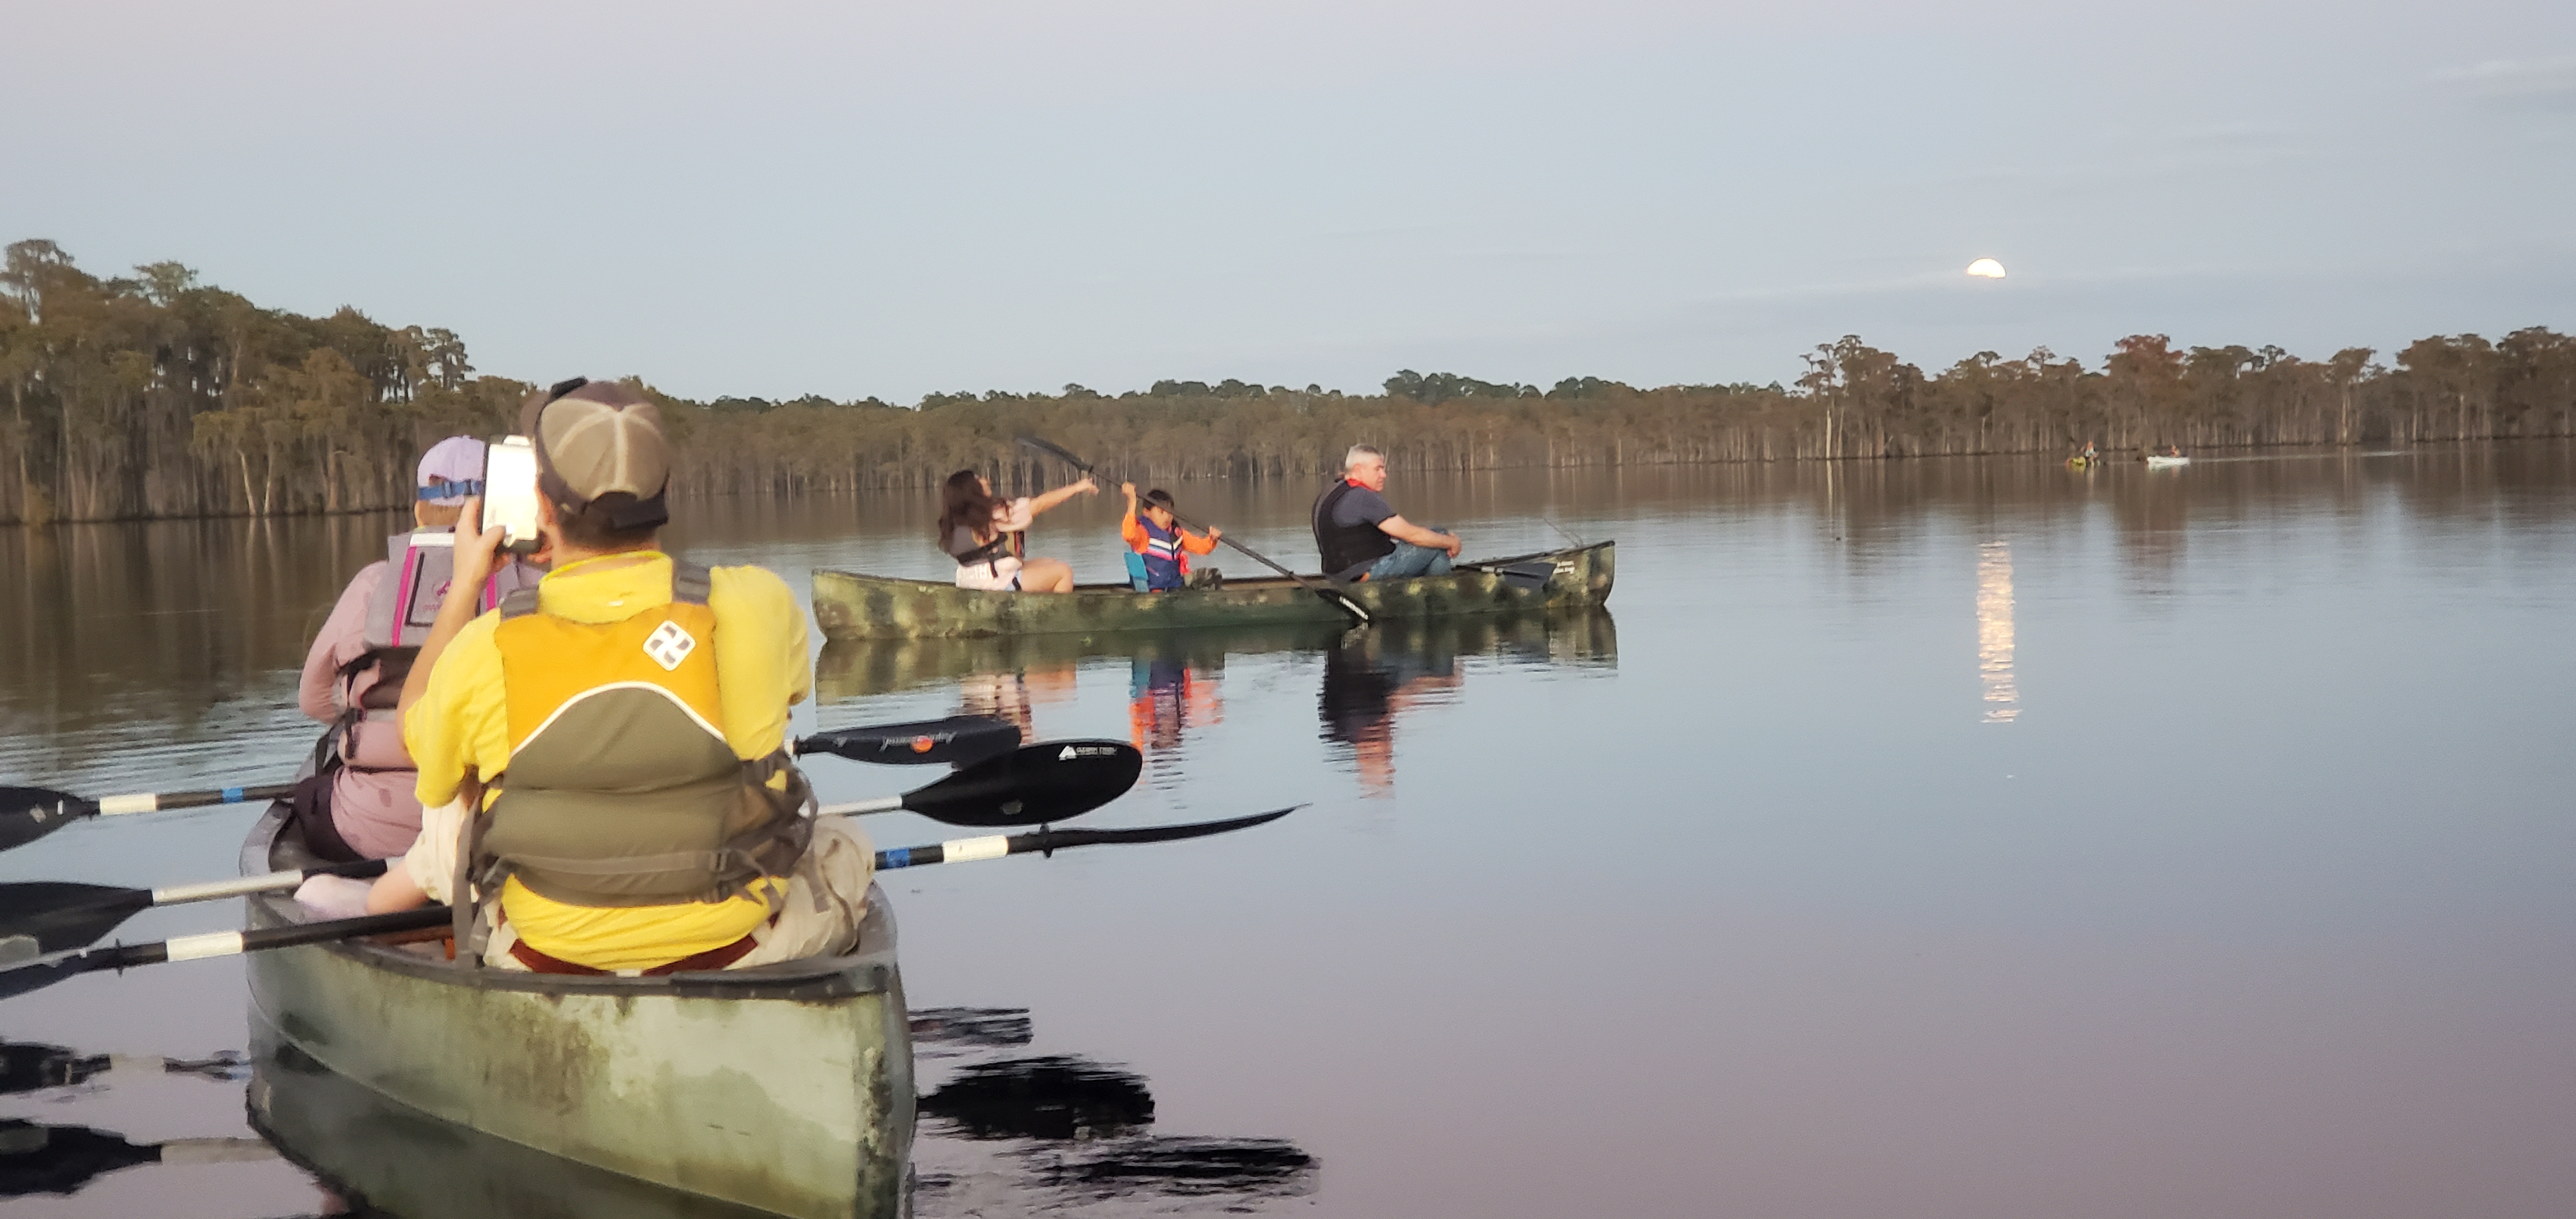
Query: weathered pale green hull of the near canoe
772, 1089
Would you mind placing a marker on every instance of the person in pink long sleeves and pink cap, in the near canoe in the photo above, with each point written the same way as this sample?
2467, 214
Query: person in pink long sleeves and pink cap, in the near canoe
362, 803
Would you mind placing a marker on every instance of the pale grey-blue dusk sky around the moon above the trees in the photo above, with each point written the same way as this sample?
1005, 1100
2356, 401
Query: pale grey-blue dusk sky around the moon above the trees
846, 200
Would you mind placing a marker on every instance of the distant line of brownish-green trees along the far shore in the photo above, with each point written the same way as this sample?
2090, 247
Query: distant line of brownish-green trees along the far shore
158, 396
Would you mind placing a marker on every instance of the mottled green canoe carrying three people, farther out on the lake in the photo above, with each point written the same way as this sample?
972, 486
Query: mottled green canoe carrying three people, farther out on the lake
872, 607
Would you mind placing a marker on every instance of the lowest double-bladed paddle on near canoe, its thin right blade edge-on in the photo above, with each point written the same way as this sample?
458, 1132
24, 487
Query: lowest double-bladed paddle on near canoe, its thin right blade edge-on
27, 978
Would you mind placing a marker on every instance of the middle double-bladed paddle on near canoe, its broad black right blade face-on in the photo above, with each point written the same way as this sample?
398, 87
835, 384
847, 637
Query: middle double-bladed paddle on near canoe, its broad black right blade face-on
1032, 785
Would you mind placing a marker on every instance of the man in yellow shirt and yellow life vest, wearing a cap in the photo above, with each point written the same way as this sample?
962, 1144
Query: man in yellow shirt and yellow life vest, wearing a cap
601, 759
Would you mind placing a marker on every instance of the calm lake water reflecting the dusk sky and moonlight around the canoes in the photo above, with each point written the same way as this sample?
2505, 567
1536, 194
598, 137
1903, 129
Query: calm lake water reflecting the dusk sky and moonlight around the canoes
1936, 839
